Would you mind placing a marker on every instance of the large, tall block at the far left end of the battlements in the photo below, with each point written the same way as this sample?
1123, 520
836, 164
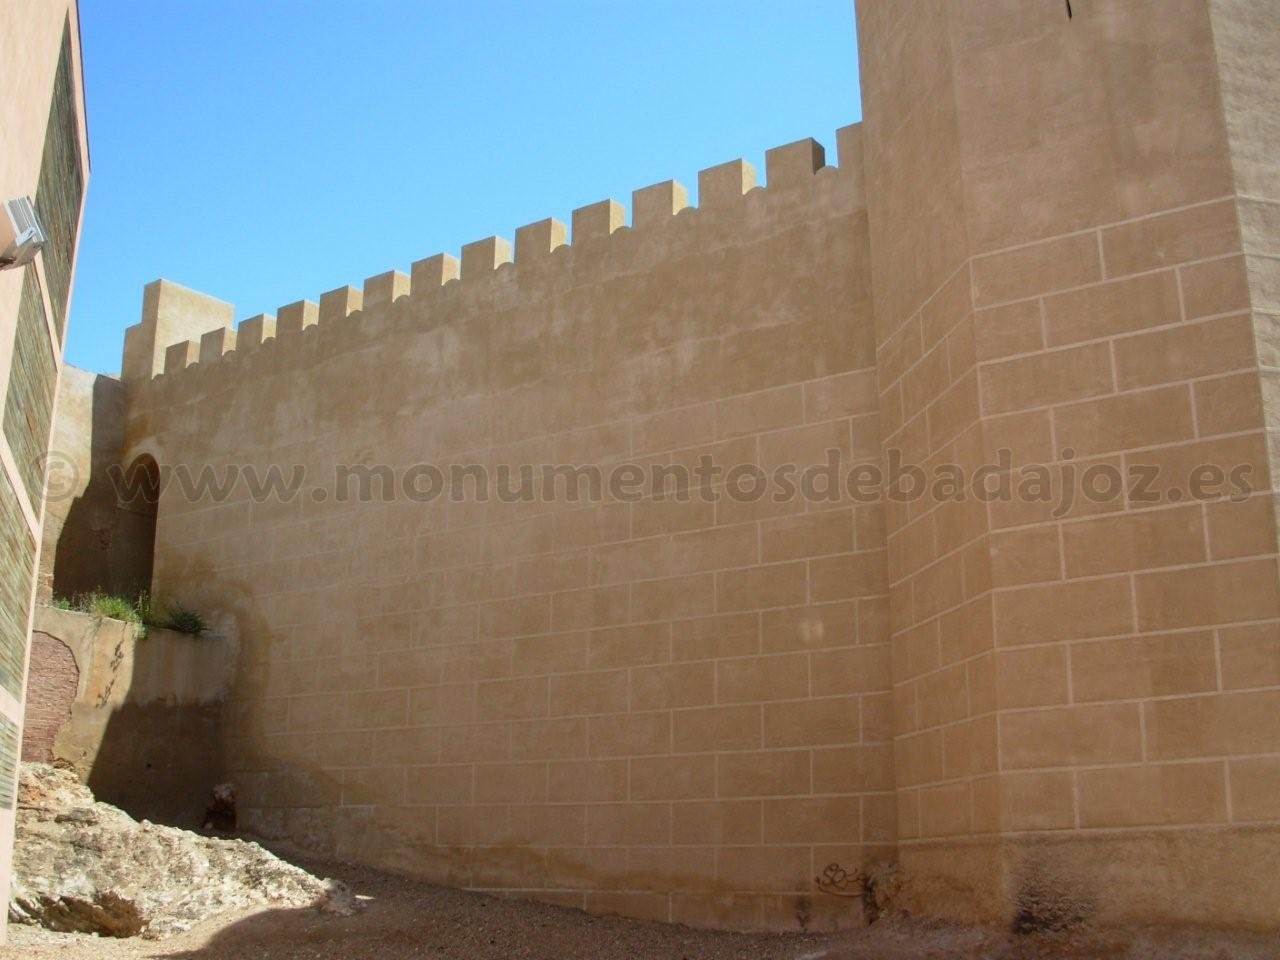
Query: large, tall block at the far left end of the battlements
171, 314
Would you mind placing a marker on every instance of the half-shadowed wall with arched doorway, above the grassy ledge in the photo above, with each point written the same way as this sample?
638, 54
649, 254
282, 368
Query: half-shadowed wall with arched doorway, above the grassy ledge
93, 540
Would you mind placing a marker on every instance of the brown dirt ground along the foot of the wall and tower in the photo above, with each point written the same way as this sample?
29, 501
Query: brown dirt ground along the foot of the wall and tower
406, 918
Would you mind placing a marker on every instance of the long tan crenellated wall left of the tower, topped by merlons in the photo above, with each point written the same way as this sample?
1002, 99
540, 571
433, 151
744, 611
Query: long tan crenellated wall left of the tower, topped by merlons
675, 708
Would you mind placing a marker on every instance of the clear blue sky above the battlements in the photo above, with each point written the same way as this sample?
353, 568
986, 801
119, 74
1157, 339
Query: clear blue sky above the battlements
264, 152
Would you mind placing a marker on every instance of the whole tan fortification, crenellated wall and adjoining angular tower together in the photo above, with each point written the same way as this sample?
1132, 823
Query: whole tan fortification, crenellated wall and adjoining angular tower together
1054, 235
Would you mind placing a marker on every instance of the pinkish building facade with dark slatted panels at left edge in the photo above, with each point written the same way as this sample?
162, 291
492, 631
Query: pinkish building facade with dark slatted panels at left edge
44, 156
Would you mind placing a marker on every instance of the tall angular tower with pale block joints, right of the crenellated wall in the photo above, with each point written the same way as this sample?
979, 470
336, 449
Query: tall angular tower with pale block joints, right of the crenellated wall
1085, 696
